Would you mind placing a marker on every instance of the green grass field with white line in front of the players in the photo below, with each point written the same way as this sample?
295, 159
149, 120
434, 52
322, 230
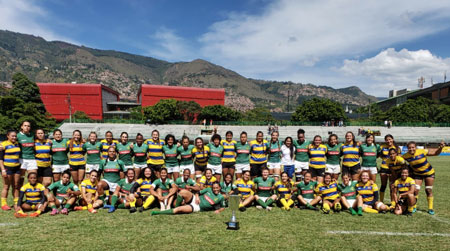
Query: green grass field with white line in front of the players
296, 229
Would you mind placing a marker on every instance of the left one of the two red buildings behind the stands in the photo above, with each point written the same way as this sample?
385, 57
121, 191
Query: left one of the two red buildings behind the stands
89, 98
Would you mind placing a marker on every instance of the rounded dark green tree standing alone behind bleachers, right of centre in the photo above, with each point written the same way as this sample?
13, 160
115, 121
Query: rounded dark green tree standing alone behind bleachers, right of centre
318, 110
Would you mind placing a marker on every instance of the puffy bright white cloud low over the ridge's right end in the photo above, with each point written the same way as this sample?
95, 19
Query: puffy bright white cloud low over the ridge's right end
392, 69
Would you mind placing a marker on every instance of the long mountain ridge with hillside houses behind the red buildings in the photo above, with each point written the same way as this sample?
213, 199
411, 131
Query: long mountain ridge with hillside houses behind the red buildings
56, 61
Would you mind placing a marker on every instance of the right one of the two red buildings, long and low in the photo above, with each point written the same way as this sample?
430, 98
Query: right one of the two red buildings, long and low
150, 94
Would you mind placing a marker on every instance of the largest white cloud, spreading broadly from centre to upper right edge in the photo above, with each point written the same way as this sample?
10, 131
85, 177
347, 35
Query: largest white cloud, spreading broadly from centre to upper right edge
291, 35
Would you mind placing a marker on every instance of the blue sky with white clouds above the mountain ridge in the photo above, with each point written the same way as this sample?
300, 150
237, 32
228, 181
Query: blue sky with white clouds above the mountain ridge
375, 45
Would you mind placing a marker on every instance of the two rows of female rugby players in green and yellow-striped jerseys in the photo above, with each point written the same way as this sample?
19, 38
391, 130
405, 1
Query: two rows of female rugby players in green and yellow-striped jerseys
87, 174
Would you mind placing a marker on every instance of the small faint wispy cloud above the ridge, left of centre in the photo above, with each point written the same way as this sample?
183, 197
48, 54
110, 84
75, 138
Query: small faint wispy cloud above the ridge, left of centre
169, 46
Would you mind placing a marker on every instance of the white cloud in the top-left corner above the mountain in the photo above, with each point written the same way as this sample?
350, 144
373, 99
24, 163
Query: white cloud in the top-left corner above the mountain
26, 16
